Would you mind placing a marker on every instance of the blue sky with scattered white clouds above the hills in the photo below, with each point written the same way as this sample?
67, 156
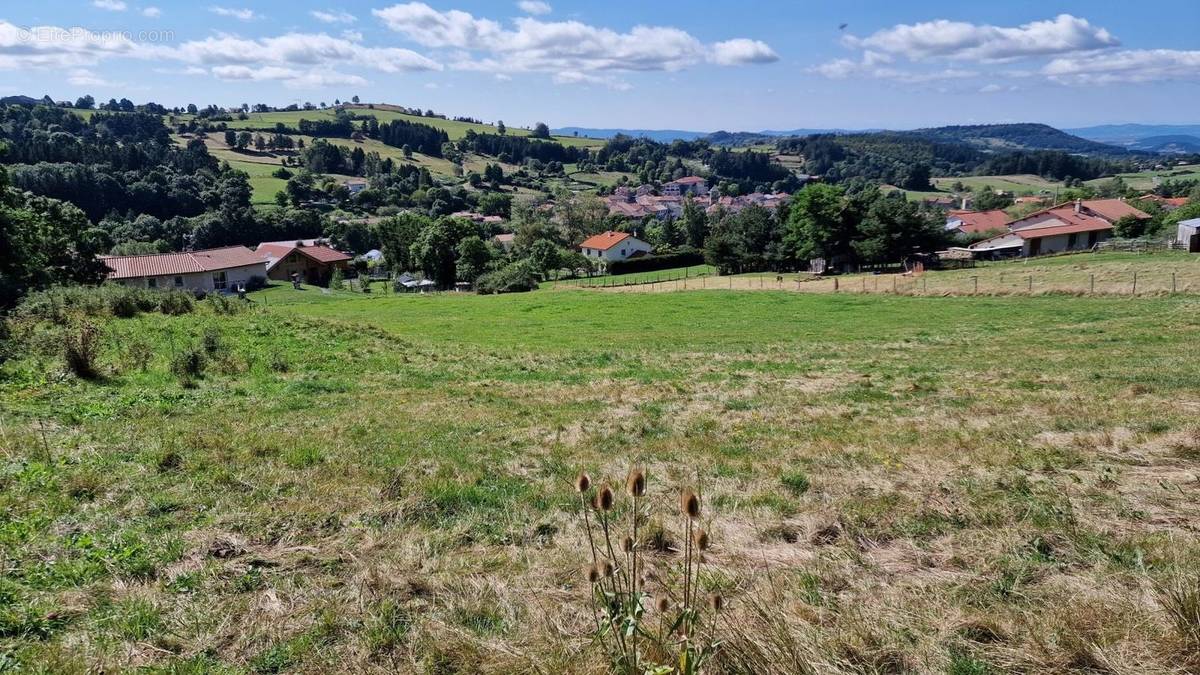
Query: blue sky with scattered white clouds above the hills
699, 67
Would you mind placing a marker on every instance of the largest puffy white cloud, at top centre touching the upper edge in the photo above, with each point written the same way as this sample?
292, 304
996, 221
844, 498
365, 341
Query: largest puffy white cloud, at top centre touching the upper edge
572, 51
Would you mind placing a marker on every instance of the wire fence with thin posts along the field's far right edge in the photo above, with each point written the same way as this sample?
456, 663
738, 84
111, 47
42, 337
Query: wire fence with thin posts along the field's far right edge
1124, 282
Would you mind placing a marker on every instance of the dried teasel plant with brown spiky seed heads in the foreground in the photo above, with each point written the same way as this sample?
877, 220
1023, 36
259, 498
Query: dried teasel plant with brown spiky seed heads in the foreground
650, 622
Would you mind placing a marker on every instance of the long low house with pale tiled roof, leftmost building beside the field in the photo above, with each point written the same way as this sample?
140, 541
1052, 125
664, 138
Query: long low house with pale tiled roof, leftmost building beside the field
214, 270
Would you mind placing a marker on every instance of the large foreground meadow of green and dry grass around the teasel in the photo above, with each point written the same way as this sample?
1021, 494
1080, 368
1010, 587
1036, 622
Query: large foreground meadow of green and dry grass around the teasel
377, 483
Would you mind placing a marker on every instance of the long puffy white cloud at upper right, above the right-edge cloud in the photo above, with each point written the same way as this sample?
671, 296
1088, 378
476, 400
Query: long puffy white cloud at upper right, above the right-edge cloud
980, 43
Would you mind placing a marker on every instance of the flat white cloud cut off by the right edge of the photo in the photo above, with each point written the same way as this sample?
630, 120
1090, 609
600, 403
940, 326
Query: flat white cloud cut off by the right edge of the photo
1126, 67
